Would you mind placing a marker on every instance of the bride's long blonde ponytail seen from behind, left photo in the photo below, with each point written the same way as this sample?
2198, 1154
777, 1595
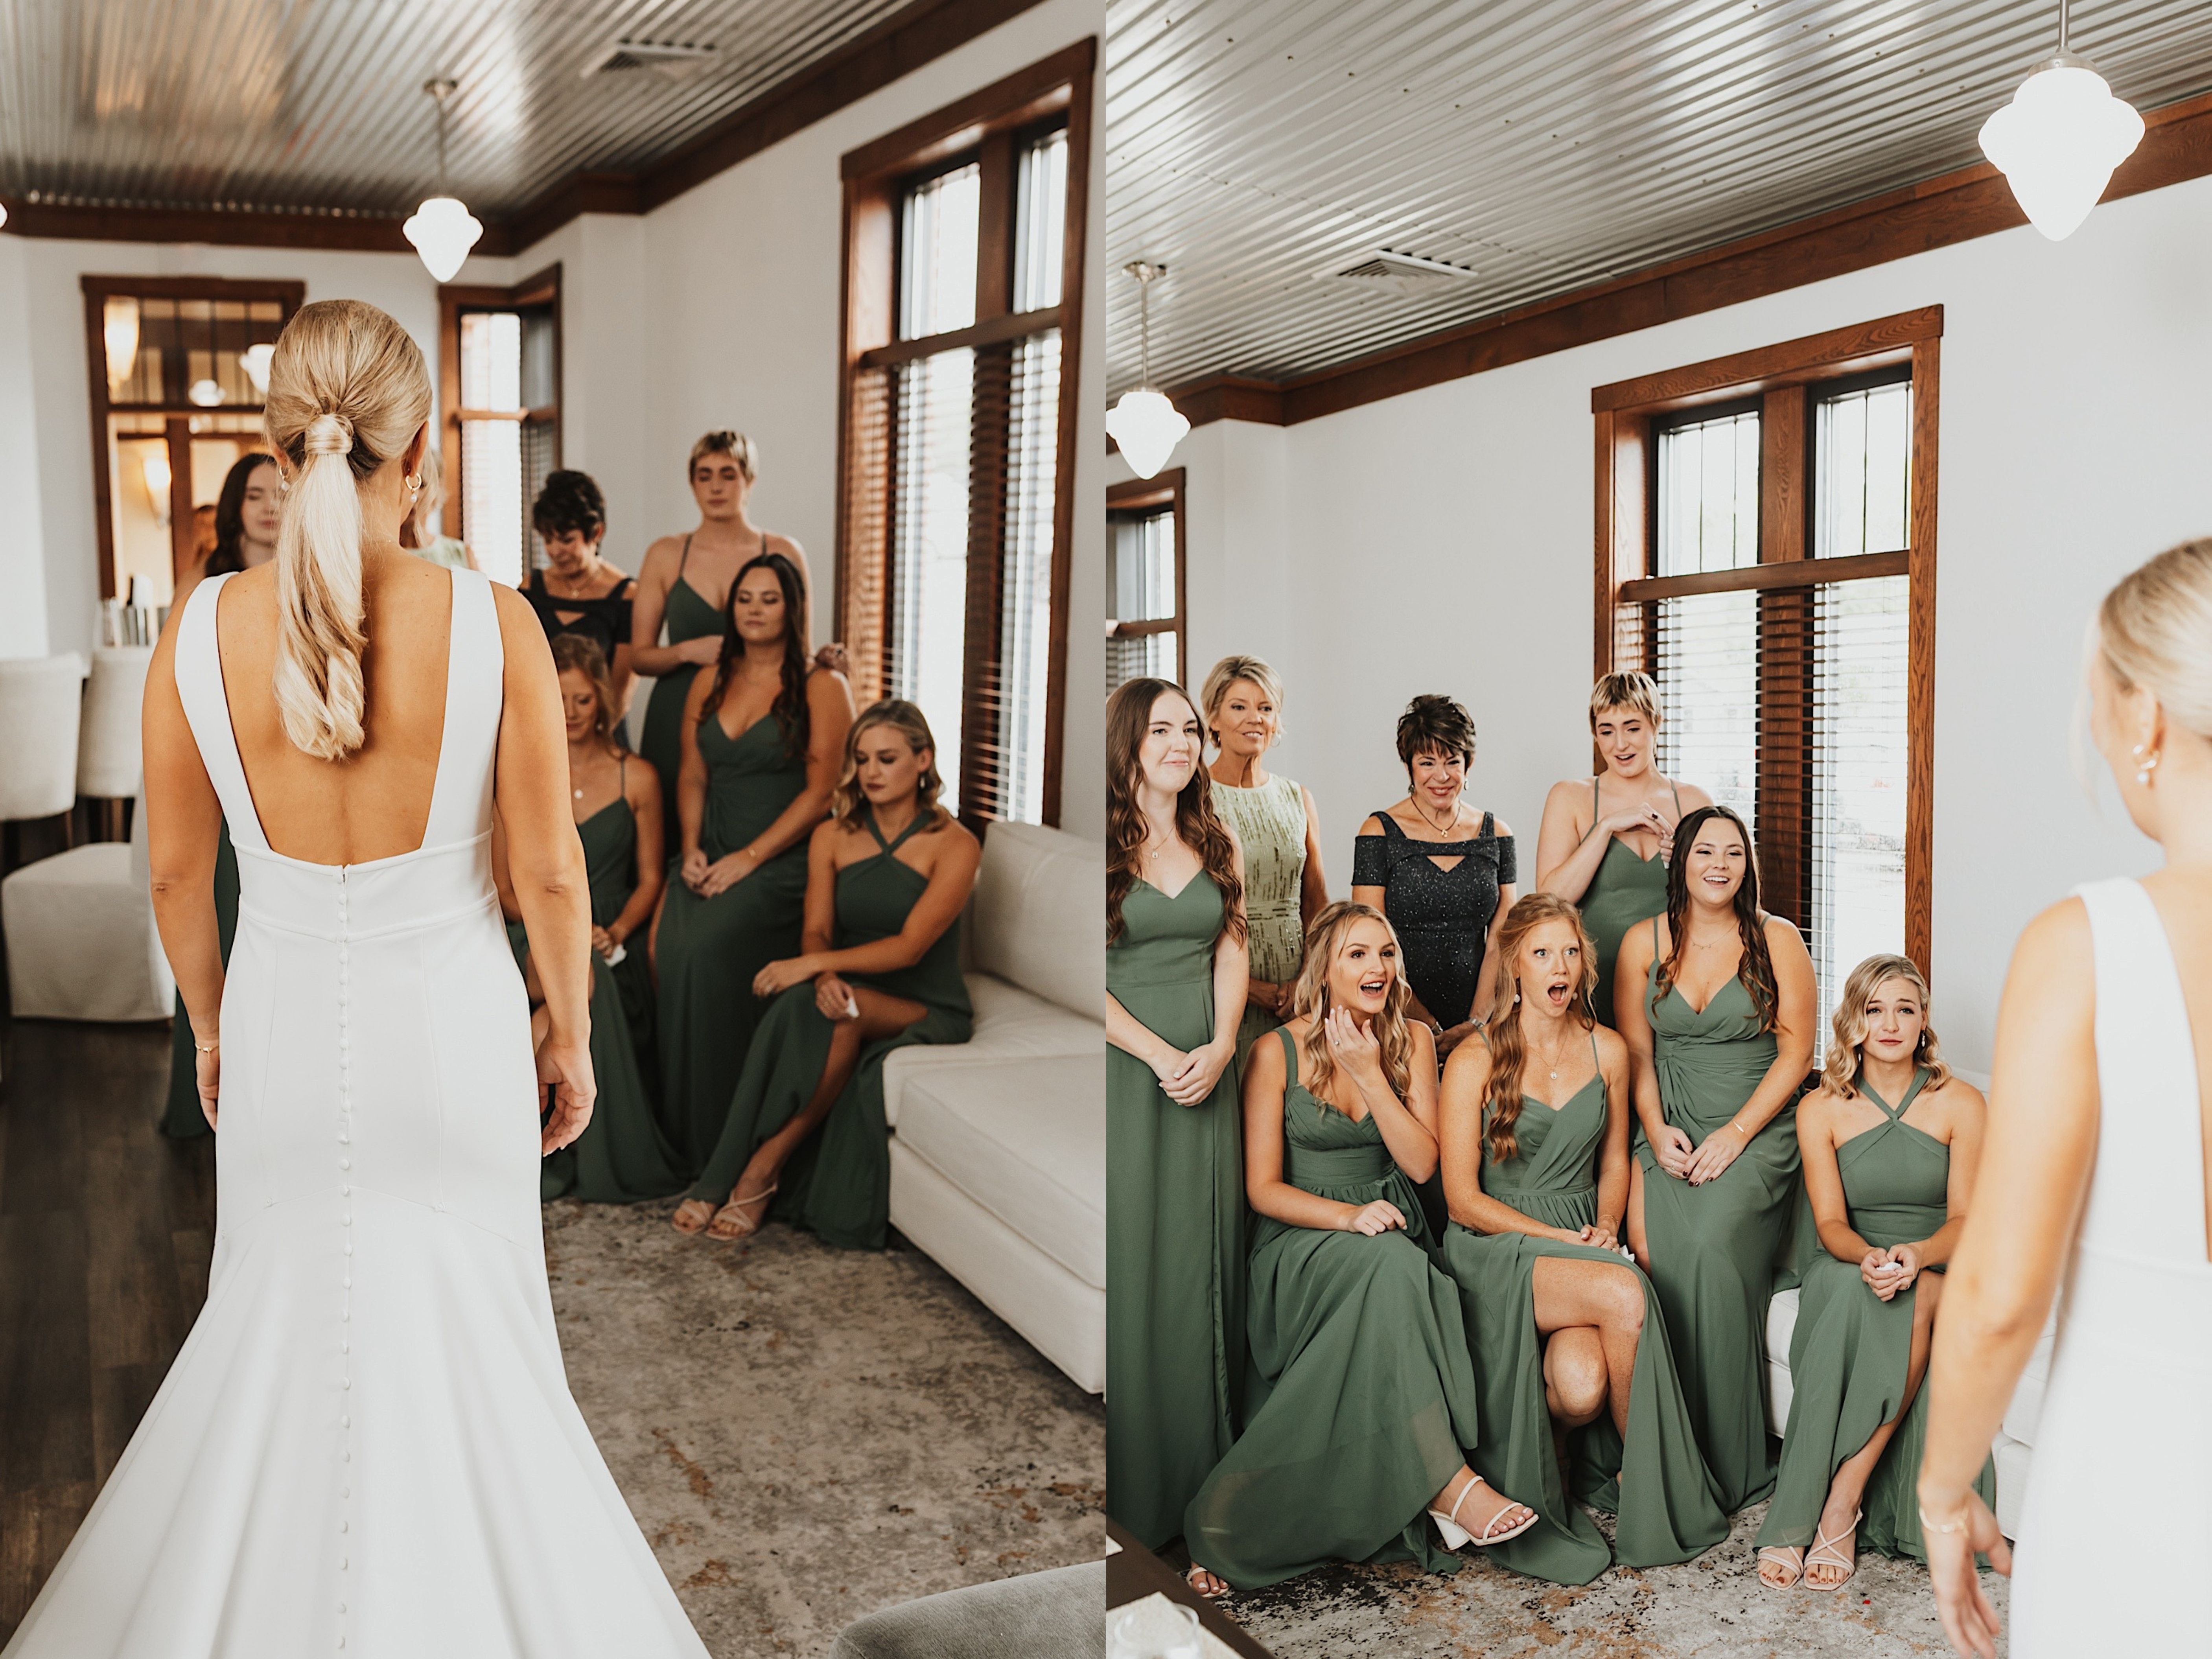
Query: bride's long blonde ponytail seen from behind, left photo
348, 393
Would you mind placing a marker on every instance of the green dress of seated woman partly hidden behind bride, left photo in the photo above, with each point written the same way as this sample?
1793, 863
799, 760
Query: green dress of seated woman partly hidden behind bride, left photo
623, 1156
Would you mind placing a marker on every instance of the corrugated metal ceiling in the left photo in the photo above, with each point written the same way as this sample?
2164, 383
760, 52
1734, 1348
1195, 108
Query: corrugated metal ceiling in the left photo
320, 105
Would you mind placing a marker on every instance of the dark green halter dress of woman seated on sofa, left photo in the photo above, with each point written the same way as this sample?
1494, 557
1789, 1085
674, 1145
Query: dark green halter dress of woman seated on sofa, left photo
839, 1182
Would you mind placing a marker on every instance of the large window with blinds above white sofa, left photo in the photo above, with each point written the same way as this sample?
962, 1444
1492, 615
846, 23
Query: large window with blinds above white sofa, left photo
959, 446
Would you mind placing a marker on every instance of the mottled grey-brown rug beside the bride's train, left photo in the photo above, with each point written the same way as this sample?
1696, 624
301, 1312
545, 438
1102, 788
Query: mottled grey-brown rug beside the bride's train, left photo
813, 1434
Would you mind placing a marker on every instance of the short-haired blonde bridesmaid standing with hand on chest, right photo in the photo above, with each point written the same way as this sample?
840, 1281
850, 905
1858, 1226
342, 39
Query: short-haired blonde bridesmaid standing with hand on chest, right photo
1605, 842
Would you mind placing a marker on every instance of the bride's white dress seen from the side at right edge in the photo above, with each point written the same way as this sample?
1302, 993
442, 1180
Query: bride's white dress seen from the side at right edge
2118, 1532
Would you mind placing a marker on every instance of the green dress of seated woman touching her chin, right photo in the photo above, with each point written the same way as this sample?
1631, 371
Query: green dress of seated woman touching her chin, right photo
1361, 1395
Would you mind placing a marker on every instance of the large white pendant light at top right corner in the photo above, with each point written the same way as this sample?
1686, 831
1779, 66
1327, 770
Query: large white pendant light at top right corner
2060, 140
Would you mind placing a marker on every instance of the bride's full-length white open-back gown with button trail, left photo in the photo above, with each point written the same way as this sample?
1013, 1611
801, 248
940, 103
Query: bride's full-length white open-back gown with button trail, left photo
366, 1446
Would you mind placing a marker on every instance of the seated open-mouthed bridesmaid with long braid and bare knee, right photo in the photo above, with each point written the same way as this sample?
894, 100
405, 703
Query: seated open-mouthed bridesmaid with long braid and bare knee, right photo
1569, 1339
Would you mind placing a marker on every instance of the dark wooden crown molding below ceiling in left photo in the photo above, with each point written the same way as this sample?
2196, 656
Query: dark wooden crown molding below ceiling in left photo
912, 36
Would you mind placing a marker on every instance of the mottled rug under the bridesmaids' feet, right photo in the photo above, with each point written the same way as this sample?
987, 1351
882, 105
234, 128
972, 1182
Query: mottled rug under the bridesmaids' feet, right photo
1707, 1609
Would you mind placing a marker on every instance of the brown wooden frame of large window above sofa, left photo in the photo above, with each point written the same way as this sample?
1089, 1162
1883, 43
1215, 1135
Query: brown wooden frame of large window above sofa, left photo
875, 176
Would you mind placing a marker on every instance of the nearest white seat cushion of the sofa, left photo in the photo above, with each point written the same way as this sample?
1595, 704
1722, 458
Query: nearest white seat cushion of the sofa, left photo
1027, 1142
